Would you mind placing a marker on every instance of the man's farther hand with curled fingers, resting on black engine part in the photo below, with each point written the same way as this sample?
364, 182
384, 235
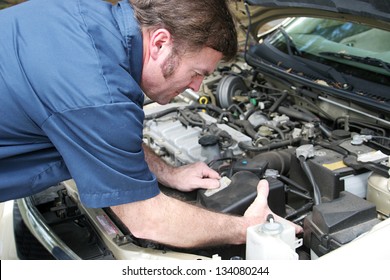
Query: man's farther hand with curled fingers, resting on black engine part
194, 176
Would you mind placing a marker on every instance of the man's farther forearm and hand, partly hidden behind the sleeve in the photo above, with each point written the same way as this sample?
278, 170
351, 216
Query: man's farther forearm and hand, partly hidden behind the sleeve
184, 178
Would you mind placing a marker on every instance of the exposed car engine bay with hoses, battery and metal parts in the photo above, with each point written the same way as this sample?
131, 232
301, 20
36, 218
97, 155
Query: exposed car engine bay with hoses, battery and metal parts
326, 160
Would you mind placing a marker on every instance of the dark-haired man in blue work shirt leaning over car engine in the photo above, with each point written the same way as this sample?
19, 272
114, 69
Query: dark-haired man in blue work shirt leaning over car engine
72, 78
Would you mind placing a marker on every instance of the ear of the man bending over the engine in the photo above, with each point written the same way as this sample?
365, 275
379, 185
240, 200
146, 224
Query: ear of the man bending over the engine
160, 43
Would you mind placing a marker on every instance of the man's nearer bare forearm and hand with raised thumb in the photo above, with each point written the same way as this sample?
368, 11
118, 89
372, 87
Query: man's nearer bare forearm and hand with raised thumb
169, 221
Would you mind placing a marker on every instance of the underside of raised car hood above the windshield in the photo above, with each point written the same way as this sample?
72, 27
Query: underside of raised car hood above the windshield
372, 12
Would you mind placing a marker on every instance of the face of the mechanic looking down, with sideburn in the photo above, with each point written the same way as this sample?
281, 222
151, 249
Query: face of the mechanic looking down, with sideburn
168, 75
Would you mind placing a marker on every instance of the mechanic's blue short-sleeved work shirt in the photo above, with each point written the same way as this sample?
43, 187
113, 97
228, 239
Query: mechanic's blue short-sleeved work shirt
70, 101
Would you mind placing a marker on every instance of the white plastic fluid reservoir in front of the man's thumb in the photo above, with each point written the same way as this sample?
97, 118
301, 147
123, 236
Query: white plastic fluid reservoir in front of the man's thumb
272, 241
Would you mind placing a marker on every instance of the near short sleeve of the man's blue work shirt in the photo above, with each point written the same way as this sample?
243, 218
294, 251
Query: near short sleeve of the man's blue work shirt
102, 148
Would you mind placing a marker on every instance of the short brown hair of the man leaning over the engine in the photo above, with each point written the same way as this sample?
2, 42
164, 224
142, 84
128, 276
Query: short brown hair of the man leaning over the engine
193, 24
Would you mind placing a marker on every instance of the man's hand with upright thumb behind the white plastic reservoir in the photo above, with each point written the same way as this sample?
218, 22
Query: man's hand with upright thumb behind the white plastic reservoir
259, 209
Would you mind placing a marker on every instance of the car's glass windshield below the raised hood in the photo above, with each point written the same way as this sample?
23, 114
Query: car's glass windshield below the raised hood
351, 48
